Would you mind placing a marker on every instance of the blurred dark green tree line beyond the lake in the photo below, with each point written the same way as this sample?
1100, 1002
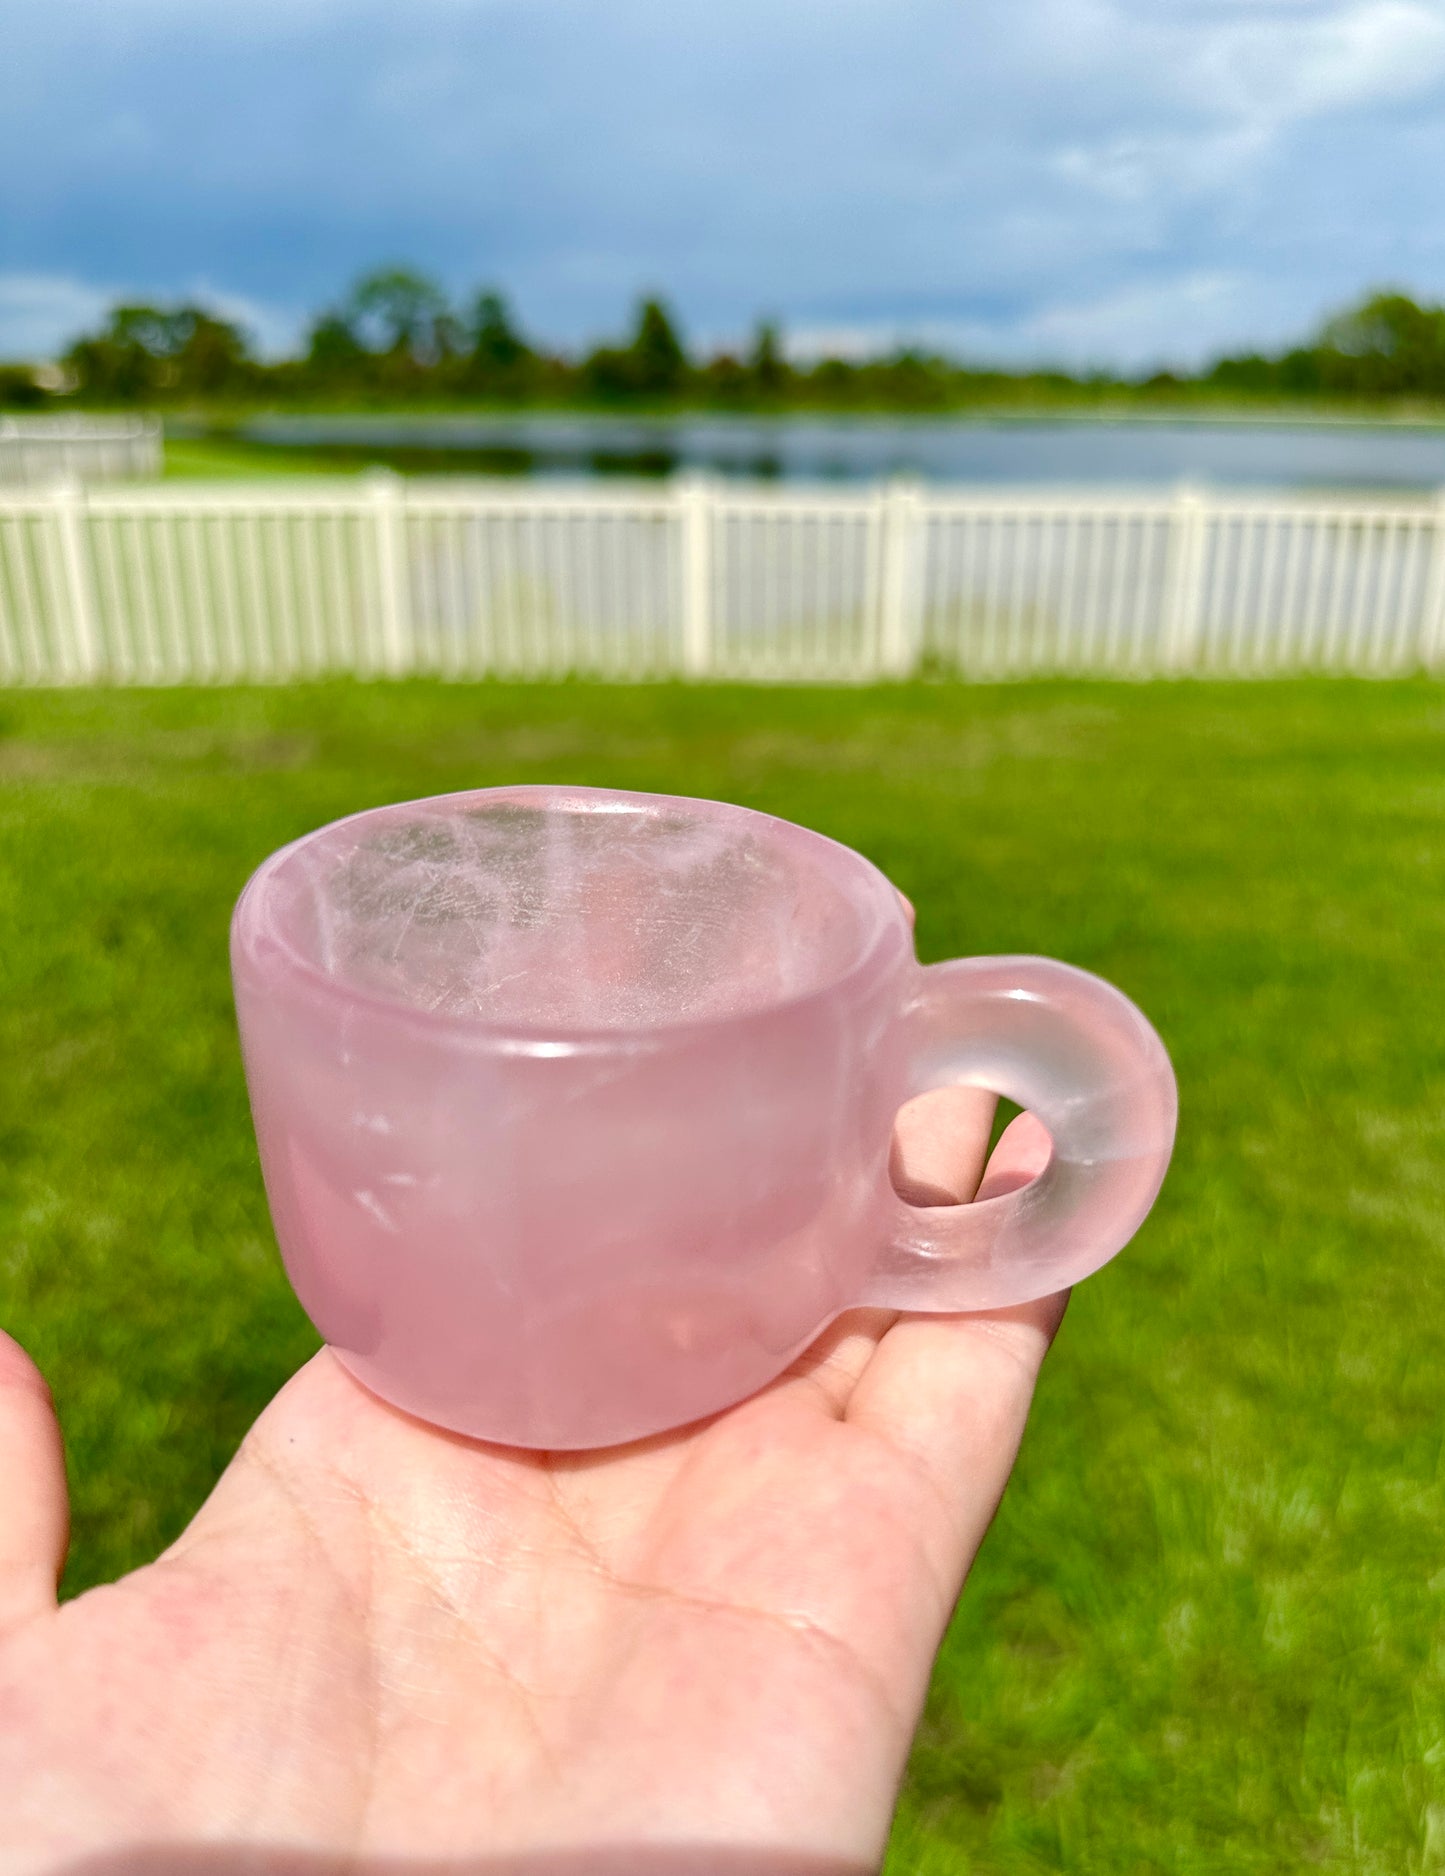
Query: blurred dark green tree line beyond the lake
397, 337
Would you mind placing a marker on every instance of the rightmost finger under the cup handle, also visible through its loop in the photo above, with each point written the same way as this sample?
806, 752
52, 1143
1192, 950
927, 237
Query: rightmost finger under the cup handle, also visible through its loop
954, 1393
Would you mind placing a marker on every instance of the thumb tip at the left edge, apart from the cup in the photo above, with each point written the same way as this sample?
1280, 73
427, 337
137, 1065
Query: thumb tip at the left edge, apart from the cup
35, 1507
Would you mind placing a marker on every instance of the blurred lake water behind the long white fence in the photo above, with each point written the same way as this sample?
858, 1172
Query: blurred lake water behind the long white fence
862, 449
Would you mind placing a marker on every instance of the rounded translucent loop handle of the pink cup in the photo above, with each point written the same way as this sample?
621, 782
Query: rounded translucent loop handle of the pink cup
1084, 1061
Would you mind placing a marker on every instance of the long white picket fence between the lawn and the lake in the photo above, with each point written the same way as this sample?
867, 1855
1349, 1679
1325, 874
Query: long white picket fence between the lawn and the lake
380, 577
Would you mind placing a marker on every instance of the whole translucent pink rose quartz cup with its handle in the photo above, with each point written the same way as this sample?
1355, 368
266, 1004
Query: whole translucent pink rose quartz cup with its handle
575, 1108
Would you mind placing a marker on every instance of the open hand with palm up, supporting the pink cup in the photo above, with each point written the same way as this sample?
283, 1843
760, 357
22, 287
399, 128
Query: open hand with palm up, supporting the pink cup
388, 1648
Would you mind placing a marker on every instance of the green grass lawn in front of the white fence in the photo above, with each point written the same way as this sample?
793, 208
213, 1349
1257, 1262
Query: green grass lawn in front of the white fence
1208, 1631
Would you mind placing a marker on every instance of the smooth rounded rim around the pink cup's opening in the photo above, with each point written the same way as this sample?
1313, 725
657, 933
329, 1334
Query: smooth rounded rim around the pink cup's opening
564, 1038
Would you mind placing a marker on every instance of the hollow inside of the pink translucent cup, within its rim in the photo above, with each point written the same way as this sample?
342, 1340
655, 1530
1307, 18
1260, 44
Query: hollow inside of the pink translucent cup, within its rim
575, 909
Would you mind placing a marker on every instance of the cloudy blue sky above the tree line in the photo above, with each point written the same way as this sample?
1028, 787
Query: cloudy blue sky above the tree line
1091, 181
